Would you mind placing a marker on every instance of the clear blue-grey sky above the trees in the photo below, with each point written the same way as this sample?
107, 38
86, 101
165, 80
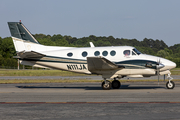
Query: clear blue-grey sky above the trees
139, 19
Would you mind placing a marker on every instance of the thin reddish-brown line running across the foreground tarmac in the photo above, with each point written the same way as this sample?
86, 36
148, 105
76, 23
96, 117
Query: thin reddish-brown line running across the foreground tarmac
84, 102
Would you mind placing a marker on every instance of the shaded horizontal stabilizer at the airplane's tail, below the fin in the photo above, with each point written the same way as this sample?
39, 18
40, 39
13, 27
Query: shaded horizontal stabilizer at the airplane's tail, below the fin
29, 54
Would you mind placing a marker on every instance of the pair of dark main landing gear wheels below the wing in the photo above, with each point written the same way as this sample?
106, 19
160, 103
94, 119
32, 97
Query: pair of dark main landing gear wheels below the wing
106, 85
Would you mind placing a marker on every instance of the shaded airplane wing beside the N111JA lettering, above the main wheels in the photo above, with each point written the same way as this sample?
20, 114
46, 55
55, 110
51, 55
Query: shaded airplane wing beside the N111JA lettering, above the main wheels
100, 63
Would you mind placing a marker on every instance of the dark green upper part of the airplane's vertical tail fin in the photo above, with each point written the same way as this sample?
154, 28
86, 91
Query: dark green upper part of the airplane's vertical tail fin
18, 30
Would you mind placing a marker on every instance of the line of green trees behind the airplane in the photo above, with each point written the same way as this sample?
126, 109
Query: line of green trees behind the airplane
147, 46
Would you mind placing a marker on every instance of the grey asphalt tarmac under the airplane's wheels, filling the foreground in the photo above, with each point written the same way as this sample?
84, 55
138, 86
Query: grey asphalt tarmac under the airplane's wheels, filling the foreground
87, 101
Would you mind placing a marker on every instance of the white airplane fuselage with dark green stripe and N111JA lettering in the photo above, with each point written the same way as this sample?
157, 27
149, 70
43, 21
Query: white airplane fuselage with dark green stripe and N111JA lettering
75, 59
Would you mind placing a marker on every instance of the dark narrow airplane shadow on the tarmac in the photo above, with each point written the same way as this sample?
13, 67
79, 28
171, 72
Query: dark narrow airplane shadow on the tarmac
89, 87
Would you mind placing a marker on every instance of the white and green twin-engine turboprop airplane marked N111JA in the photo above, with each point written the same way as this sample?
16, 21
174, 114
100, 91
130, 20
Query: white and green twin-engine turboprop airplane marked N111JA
112, 62
